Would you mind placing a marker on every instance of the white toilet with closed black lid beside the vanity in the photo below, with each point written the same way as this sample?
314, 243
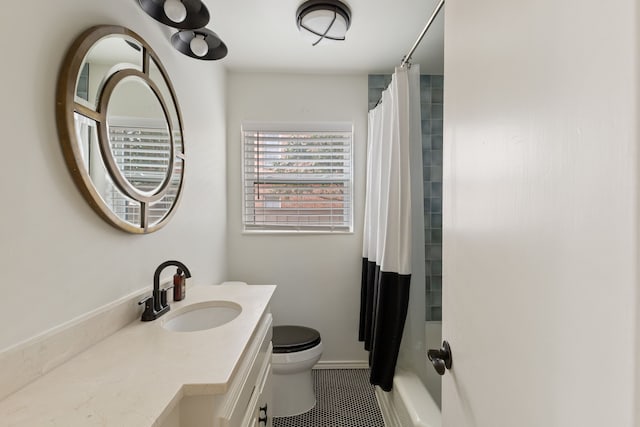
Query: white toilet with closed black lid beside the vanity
296, 349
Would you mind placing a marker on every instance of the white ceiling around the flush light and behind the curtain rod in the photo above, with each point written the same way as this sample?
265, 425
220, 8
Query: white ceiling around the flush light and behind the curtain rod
262, 36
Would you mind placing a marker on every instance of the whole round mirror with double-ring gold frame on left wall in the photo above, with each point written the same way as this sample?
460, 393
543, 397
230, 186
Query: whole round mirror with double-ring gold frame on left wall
121, 129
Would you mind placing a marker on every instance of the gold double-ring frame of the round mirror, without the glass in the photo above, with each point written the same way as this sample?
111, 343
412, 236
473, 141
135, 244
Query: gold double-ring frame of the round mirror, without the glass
68, 108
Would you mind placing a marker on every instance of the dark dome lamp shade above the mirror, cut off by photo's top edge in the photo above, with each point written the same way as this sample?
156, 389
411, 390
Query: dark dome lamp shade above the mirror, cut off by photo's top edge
182, 14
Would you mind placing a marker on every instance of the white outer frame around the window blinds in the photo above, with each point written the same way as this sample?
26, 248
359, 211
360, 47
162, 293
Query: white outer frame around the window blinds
323, 126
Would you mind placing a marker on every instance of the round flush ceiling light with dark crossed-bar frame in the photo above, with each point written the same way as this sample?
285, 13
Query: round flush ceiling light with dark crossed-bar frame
323, 19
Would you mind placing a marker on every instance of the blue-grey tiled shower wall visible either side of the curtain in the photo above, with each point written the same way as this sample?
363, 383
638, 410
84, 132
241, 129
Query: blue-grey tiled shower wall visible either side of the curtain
431, 96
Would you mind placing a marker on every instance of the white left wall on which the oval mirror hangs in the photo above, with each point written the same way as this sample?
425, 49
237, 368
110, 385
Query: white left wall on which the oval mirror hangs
58, 258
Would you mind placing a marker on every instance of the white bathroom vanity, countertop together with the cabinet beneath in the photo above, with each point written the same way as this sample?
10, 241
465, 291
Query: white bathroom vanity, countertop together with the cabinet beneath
148, 375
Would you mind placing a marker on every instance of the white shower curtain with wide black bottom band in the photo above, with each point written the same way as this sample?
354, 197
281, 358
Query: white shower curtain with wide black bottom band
387, 255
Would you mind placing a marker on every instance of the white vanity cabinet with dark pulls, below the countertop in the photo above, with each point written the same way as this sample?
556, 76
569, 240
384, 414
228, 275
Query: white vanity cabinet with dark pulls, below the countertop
247, 402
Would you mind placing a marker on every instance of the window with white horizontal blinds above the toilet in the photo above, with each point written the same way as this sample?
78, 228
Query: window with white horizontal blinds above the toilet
297, 177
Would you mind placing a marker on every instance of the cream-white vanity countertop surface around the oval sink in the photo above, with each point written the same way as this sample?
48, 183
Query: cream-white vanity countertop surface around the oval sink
136, 376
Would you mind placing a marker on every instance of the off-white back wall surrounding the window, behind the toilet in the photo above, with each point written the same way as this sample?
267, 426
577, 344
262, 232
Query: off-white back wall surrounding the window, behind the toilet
318, 276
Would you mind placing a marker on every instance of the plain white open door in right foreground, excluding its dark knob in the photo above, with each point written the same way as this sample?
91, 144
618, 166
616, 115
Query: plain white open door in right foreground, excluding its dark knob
541, 213
